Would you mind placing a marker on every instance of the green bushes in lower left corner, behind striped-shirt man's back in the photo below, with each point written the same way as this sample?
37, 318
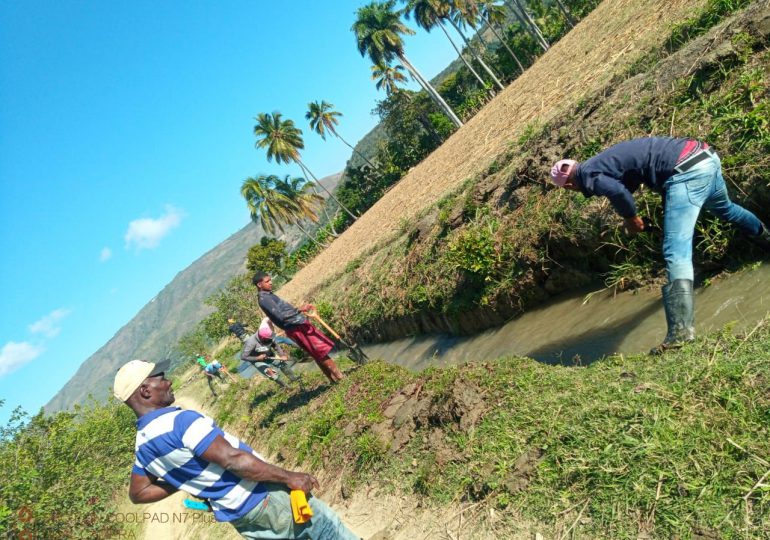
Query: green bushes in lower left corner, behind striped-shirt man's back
60, 473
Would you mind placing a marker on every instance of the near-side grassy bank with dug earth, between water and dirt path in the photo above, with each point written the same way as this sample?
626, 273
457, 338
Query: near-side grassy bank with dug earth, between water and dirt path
672, 447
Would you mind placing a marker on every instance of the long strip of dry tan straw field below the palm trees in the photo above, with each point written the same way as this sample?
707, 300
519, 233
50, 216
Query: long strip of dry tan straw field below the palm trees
606, 41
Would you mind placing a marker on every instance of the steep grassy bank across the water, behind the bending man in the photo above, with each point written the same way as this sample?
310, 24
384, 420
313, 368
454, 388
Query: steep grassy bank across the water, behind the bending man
502, 241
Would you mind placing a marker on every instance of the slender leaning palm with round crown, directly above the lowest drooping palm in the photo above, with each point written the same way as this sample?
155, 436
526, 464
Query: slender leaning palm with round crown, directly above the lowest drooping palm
283, 141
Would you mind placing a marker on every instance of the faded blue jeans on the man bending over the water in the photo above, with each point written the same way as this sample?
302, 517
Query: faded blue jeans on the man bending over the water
686, 193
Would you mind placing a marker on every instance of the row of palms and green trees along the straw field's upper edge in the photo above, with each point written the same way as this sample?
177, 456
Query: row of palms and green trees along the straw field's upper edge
414, 123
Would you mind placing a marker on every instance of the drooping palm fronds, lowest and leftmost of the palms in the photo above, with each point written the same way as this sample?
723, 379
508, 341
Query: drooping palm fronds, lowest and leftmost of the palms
275, 206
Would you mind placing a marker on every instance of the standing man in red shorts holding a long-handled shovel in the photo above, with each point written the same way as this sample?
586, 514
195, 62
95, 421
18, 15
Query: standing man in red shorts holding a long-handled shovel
293, 321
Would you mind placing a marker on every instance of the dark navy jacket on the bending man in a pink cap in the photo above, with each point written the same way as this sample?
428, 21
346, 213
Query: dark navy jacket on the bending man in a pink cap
619, 171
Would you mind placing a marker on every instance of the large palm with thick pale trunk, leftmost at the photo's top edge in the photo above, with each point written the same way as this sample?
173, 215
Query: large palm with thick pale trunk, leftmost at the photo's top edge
378, 30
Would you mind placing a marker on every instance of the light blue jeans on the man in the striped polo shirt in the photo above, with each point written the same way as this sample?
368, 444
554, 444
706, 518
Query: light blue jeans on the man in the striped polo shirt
272, 519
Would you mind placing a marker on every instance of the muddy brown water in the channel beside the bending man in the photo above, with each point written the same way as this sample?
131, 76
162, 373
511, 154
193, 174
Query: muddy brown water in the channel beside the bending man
571, 329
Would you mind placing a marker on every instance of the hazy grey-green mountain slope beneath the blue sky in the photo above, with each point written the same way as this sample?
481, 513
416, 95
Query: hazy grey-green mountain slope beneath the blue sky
172, 313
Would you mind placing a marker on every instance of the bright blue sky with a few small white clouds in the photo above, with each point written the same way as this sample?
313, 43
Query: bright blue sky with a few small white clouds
125, 133
